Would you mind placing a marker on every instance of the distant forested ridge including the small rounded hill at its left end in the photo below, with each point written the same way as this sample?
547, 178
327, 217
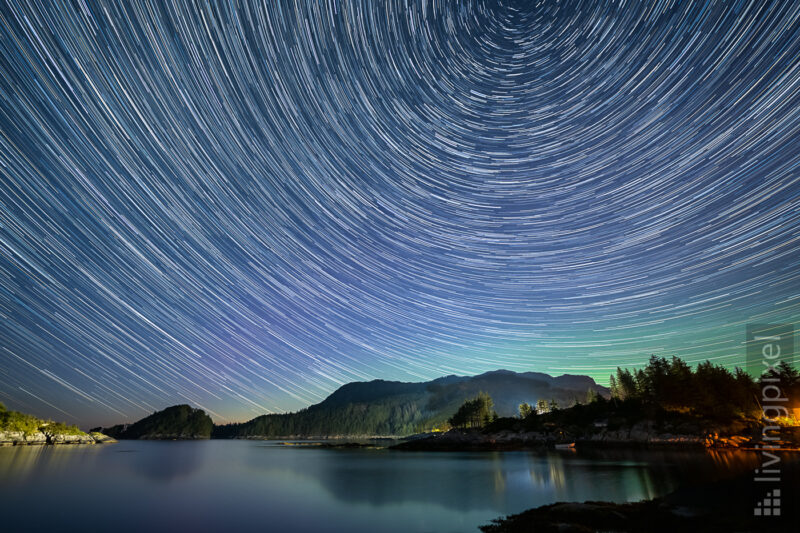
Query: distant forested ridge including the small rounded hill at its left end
372, 408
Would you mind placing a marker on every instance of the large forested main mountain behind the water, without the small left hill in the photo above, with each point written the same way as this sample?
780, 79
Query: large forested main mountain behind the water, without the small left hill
396, 408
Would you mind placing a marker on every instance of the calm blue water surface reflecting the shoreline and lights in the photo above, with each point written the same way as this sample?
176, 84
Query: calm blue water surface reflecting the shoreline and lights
259, 486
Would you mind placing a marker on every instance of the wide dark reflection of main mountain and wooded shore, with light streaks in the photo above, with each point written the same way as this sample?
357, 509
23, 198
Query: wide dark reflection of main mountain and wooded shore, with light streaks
473, 481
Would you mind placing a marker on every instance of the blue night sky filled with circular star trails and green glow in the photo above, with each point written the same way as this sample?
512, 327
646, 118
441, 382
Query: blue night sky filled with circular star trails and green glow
243, 207
